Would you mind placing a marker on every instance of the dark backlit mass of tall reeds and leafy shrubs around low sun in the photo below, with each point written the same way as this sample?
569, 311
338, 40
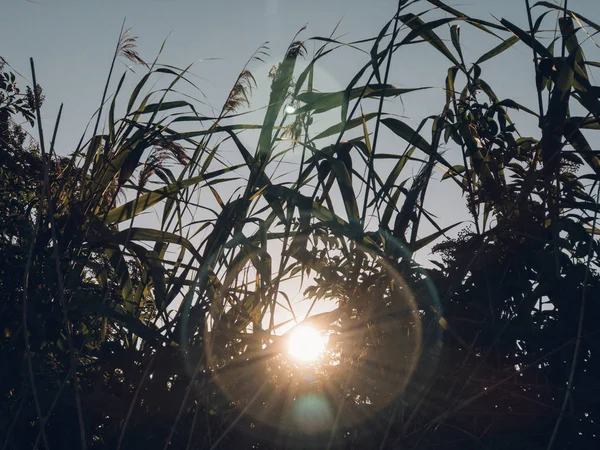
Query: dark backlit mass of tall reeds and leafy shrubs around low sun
121, 331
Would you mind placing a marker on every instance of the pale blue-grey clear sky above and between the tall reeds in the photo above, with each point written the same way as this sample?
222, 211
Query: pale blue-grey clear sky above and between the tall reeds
72, 42
